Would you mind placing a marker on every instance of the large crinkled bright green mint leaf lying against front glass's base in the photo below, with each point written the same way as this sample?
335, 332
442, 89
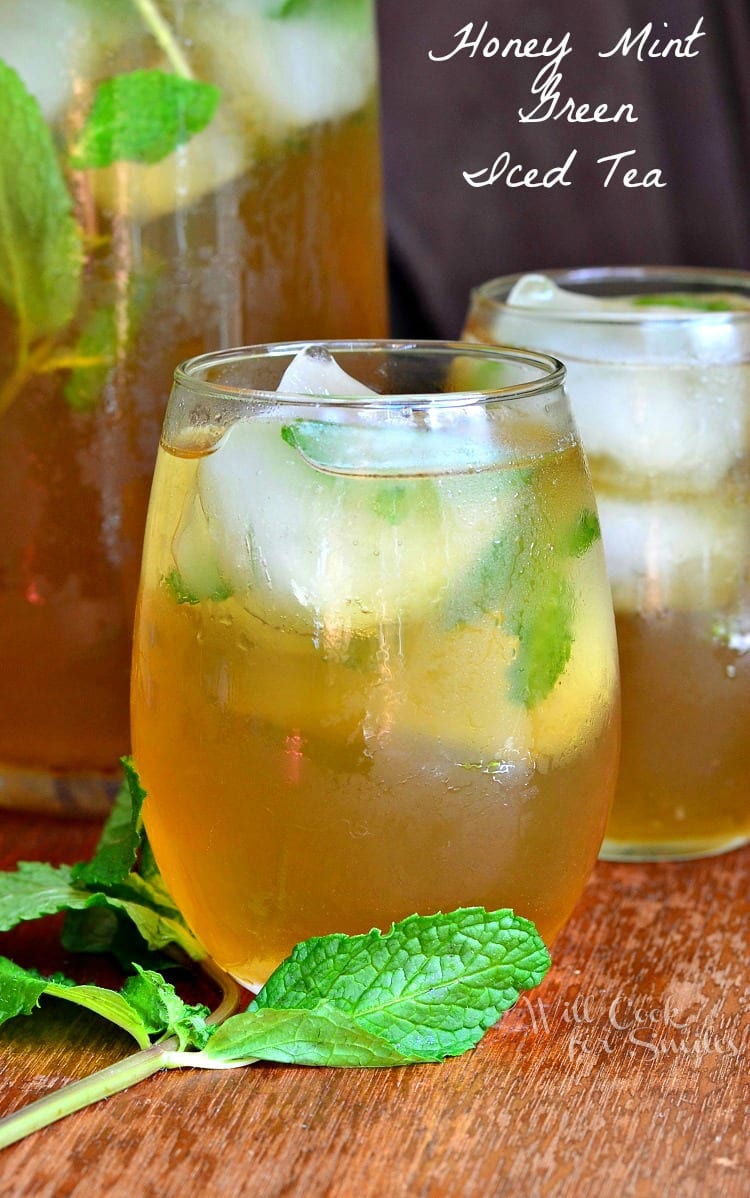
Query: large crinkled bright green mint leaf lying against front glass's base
430, 988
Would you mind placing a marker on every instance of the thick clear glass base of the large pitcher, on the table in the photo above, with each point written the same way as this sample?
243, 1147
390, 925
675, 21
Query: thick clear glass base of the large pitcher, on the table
72, 796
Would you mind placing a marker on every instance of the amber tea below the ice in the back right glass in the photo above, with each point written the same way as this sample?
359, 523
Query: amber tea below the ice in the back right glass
697, 802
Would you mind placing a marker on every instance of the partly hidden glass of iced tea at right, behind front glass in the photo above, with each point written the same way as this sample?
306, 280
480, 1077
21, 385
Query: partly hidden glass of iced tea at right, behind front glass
660, 378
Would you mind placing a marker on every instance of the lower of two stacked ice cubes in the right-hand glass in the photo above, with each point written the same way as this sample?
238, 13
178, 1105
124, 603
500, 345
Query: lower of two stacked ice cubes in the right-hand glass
674, 555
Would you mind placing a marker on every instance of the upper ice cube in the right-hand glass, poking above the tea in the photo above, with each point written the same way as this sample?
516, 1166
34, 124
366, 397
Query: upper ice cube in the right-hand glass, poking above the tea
652, 398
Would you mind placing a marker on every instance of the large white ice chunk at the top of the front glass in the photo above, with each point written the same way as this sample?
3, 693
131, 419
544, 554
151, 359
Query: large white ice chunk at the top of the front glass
332, 549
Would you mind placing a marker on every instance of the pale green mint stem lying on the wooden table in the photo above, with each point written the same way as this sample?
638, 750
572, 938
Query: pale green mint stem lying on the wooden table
120, 1076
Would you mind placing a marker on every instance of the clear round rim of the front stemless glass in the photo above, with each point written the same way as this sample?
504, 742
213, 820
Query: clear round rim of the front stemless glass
553, 374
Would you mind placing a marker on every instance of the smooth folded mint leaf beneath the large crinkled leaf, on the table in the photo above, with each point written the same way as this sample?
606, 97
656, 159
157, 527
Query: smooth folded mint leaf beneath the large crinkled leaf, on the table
324, 1037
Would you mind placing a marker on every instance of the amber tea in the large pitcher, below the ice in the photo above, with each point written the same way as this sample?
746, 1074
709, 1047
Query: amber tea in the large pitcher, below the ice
292, 251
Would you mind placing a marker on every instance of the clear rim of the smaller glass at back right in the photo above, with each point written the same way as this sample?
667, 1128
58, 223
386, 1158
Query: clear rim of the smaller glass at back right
721, 279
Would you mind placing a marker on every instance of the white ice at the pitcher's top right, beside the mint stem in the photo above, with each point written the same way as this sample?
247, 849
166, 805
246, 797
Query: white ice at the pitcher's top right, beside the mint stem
287, 72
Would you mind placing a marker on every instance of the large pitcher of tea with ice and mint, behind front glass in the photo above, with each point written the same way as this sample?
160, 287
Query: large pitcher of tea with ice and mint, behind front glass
178, 176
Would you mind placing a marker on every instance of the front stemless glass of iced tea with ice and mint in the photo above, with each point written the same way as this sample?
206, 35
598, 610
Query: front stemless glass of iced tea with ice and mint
376, 668
